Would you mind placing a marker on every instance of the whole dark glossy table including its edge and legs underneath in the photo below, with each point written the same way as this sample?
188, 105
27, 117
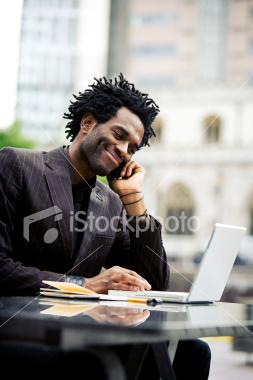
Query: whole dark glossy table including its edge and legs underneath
80, 325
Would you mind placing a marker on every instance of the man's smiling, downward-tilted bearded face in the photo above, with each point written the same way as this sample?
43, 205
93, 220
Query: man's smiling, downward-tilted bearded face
108, 146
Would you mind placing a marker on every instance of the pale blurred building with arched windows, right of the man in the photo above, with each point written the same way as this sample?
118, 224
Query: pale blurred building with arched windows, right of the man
195, 58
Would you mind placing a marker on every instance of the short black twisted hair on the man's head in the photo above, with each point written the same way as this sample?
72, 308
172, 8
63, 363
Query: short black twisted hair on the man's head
104, 99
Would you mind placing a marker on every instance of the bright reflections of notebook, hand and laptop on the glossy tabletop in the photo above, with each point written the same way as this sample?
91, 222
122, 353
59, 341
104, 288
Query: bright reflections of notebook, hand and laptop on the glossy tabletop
122, 313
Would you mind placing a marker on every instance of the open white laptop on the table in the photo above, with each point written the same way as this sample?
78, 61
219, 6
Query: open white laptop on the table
213, 271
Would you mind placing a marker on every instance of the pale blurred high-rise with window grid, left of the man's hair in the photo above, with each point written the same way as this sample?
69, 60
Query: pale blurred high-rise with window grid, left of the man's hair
63, 45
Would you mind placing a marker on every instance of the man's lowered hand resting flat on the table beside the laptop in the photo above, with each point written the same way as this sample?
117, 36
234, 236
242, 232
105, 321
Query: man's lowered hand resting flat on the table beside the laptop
116, 278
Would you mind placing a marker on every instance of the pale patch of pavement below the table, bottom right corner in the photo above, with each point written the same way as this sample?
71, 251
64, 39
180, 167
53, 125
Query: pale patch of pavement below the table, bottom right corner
228, 364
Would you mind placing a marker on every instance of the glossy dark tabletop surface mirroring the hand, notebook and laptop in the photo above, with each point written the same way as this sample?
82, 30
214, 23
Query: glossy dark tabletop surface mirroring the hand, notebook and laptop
165, 316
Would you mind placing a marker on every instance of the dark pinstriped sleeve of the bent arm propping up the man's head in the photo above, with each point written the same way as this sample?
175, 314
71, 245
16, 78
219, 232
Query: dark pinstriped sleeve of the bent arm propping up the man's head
141, 249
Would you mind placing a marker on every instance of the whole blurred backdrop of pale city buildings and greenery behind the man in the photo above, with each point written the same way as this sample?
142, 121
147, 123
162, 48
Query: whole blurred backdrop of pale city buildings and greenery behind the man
194, 58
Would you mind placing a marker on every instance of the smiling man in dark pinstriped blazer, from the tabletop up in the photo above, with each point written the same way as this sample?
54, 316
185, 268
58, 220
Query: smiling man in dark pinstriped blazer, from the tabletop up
43, 195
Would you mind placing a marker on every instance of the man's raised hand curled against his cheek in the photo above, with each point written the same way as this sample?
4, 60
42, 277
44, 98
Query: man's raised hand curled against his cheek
132, 178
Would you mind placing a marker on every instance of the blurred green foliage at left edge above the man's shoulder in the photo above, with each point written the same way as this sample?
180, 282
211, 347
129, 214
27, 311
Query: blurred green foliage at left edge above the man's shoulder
12, 137
